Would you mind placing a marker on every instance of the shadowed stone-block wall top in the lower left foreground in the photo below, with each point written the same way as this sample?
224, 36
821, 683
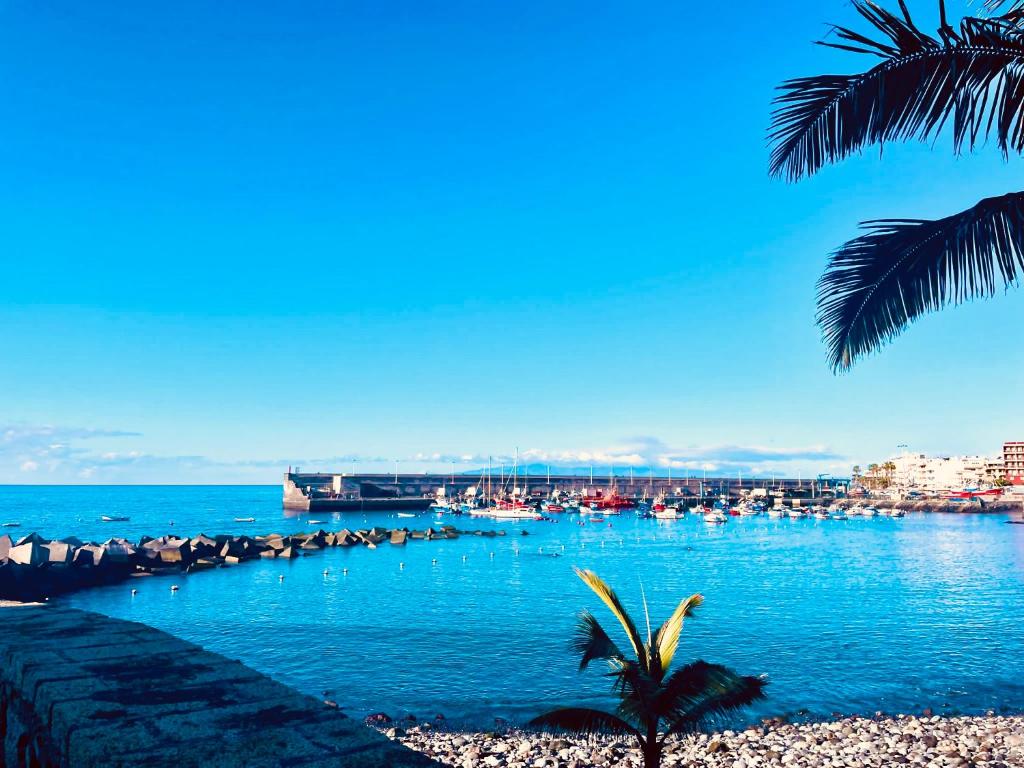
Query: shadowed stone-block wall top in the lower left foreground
80, 690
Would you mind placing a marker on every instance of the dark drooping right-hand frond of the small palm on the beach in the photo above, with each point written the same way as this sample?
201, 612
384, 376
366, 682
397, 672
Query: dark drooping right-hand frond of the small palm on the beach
700, 692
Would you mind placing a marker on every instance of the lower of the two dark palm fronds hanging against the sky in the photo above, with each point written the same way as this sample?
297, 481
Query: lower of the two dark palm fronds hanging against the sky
879, 283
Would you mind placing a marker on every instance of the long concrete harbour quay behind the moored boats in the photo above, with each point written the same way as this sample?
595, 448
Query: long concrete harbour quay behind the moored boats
354, 492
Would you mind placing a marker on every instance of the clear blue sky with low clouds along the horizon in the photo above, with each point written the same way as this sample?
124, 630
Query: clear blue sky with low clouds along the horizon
241, 237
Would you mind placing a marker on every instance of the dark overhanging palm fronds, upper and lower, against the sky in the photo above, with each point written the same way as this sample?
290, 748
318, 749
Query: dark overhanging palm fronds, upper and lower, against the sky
971, 79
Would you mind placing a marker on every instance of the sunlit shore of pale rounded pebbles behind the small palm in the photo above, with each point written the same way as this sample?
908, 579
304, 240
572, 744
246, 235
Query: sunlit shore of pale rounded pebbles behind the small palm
990, 742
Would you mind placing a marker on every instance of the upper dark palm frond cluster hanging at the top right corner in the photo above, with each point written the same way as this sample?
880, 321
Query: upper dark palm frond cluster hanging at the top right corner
970, 77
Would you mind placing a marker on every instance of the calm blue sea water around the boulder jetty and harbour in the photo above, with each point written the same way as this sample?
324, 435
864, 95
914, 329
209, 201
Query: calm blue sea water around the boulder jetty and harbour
843, 617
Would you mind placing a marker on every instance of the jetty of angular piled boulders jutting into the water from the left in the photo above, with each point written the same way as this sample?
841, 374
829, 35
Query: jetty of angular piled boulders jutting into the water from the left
35, 569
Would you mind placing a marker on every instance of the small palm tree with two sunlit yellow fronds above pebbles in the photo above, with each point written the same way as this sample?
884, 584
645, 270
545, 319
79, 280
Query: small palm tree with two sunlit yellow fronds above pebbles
649, 696
